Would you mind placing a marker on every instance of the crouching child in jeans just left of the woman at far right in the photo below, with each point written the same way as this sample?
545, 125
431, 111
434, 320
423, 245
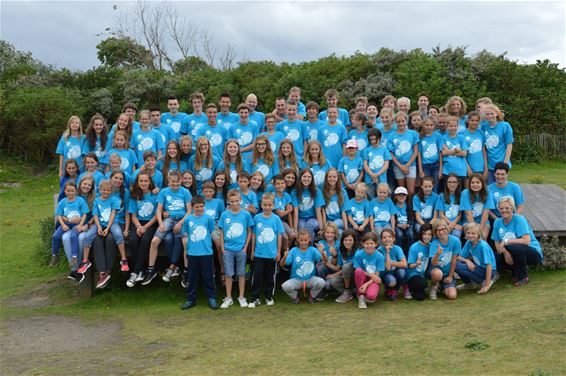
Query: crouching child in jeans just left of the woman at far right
476, 264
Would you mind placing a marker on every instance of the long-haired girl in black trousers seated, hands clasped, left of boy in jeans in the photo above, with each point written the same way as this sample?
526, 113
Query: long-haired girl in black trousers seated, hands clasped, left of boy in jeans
142, 208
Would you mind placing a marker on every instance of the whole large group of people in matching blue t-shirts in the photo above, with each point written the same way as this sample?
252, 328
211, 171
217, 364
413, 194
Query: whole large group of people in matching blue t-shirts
342, 202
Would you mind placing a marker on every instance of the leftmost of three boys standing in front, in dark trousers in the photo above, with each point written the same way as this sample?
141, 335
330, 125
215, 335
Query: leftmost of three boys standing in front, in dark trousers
197, 241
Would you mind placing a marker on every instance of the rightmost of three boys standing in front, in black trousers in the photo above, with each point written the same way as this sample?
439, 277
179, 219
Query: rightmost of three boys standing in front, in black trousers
266, 250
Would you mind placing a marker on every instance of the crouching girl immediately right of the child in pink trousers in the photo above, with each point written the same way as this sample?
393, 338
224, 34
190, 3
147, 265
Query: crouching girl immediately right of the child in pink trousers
395, 272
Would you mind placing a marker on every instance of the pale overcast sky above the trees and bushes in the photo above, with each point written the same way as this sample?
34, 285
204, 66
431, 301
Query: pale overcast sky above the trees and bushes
64, 34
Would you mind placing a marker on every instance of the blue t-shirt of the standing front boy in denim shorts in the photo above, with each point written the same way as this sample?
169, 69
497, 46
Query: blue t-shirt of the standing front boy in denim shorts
235, 229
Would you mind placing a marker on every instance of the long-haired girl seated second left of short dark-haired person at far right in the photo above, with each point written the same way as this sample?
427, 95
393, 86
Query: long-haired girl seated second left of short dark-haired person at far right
448, 205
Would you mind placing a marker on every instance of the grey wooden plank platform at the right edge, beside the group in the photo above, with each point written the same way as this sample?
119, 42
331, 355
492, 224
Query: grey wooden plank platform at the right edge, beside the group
545, 209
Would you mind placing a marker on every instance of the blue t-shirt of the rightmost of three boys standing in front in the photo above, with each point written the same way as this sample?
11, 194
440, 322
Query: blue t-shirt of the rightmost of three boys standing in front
266, 231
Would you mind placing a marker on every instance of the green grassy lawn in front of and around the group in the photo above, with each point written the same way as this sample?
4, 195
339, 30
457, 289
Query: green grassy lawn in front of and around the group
510, 331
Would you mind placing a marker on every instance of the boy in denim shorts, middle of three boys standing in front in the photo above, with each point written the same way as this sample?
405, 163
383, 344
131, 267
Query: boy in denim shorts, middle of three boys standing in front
235, 233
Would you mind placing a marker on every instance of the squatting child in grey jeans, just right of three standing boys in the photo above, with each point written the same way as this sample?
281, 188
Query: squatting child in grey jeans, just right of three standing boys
303, 272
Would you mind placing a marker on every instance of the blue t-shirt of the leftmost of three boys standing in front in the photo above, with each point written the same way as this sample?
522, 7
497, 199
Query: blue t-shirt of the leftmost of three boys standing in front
199, 230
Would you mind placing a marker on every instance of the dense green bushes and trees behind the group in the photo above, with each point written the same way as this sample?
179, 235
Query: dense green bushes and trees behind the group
36, 100
